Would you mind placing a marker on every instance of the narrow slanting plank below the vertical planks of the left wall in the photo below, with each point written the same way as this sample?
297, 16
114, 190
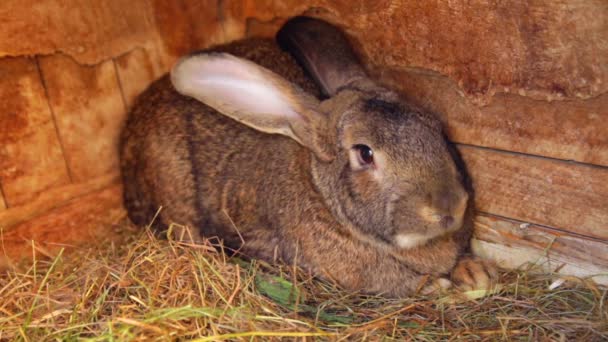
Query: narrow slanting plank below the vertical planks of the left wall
53, 198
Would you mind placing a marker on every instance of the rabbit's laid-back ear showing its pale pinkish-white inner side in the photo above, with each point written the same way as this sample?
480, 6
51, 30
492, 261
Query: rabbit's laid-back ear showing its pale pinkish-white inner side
255, 96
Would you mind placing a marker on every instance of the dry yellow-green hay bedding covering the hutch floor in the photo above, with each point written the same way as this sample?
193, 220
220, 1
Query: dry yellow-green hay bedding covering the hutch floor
153, 289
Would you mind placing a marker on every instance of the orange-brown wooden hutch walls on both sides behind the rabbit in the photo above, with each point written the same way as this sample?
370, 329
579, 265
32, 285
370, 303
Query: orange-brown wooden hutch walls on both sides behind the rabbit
521, 86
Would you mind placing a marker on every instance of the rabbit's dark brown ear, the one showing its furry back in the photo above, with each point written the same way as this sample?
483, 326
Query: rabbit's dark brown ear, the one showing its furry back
323, 51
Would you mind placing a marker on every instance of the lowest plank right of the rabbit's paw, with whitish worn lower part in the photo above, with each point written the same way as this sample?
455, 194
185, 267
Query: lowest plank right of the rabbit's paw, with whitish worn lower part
513, 244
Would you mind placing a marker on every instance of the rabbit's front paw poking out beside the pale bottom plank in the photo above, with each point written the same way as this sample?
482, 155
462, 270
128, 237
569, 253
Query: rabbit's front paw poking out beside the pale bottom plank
474, 274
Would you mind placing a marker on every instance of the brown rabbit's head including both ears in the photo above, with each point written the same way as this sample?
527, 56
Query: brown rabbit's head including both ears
383, 167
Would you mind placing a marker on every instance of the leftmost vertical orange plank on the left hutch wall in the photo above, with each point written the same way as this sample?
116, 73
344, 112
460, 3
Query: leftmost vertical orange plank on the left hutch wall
31, 159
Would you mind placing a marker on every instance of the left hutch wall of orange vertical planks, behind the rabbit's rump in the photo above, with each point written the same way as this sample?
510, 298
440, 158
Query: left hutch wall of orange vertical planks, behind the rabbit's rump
69, 72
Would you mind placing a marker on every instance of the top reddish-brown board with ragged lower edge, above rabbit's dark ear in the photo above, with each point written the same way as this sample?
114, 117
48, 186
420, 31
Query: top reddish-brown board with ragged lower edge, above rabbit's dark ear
547, 49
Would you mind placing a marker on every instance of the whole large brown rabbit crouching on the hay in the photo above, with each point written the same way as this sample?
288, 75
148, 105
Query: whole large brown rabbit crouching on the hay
360, 187
